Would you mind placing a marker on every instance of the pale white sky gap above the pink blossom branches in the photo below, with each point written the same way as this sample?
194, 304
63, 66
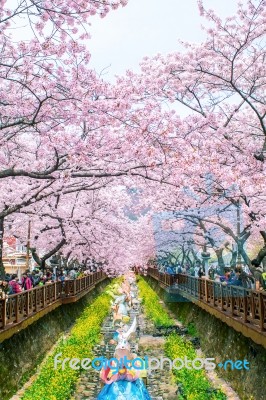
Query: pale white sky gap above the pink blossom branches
147, 27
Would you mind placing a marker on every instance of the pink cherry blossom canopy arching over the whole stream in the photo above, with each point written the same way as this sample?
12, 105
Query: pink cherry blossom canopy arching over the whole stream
70, 141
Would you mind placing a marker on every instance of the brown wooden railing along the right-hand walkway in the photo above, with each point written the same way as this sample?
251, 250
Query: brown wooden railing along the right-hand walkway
234, 301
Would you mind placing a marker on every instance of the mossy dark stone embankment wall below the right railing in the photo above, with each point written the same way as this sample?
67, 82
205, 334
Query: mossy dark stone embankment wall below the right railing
223, 343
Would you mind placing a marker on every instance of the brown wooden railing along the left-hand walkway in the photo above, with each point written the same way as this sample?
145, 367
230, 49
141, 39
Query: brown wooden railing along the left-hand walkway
20, 306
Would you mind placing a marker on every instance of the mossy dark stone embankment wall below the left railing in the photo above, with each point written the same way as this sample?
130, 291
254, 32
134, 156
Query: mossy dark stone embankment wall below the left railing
22, 353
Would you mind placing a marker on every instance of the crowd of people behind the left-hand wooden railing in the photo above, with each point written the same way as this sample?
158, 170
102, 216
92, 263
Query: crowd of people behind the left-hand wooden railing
12, 284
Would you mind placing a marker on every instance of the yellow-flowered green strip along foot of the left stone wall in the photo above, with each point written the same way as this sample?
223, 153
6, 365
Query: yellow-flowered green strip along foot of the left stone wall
58, 384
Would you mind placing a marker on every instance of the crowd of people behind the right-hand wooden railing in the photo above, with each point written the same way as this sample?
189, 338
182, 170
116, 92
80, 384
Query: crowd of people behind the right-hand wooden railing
250, 277
